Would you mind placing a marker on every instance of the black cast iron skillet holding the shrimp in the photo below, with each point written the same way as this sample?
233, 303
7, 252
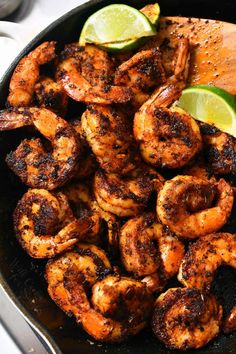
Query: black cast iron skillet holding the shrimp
22, 277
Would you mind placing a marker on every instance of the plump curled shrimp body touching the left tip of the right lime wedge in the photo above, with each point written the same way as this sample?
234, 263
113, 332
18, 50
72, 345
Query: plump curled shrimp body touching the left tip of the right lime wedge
168, 137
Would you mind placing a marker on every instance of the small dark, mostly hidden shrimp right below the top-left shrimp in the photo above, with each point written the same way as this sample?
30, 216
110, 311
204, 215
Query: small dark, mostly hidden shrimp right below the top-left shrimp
49, 94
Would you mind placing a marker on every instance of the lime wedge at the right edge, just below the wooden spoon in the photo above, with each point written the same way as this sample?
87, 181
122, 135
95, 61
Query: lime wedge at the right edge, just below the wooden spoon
210, 105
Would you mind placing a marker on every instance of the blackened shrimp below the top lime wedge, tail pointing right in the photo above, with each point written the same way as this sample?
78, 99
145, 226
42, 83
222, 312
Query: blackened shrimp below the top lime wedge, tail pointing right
86, 75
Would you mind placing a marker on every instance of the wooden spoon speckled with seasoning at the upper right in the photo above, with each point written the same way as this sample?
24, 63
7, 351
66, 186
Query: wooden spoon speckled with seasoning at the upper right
213, 49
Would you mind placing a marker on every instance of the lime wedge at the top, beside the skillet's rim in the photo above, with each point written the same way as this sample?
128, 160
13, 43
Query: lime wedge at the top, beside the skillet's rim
116, 27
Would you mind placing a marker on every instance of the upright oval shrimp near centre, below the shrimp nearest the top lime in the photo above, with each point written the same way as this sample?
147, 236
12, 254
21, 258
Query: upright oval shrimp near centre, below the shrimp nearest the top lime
110, 138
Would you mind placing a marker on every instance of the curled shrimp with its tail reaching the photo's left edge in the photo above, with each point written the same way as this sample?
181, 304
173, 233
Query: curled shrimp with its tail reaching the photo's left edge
35, 166
